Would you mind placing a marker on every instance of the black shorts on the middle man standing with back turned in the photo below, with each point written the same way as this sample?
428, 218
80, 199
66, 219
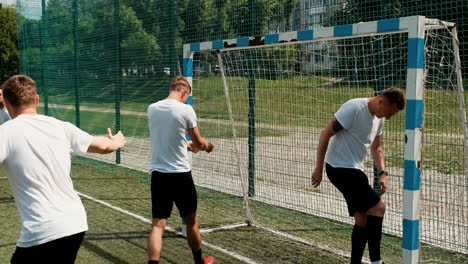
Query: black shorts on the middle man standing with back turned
167, 188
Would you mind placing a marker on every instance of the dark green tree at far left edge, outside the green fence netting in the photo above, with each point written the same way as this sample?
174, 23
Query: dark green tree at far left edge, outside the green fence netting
9, 55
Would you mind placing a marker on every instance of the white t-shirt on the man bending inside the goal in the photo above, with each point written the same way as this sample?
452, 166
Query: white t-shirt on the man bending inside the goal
348, 148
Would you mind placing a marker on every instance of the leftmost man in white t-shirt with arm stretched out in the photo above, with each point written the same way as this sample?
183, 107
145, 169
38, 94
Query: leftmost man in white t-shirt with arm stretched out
36, 153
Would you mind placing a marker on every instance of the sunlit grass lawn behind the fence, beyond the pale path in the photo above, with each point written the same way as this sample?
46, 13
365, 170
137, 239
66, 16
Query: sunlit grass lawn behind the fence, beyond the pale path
287, 102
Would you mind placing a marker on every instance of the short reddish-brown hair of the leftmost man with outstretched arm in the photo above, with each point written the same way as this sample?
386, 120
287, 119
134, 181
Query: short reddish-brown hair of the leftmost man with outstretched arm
19, 90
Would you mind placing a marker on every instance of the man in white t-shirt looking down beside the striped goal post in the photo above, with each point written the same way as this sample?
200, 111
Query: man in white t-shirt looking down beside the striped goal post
356, 128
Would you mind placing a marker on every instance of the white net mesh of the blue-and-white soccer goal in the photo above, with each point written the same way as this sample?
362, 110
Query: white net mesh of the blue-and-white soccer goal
282, 96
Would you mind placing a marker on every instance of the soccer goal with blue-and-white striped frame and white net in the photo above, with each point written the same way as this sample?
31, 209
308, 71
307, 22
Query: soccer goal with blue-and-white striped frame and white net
265, 99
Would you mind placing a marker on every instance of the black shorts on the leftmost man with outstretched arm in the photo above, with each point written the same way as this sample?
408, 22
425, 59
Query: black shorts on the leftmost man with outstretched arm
62, 250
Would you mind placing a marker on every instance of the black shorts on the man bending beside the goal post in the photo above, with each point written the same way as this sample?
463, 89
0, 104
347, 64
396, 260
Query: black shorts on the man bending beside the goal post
354, 185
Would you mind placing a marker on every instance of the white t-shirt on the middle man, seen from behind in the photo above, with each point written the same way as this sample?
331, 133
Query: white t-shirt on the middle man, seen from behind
169, 121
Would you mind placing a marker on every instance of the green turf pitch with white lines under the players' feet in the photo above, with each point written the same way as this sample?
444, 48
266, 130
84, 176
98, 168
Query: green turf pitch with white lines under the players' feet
114, 237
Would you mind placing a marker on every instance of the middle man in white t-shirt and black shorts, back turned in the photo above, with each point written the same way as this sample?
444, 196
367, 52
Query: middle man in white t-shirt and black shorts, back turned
171, 178
